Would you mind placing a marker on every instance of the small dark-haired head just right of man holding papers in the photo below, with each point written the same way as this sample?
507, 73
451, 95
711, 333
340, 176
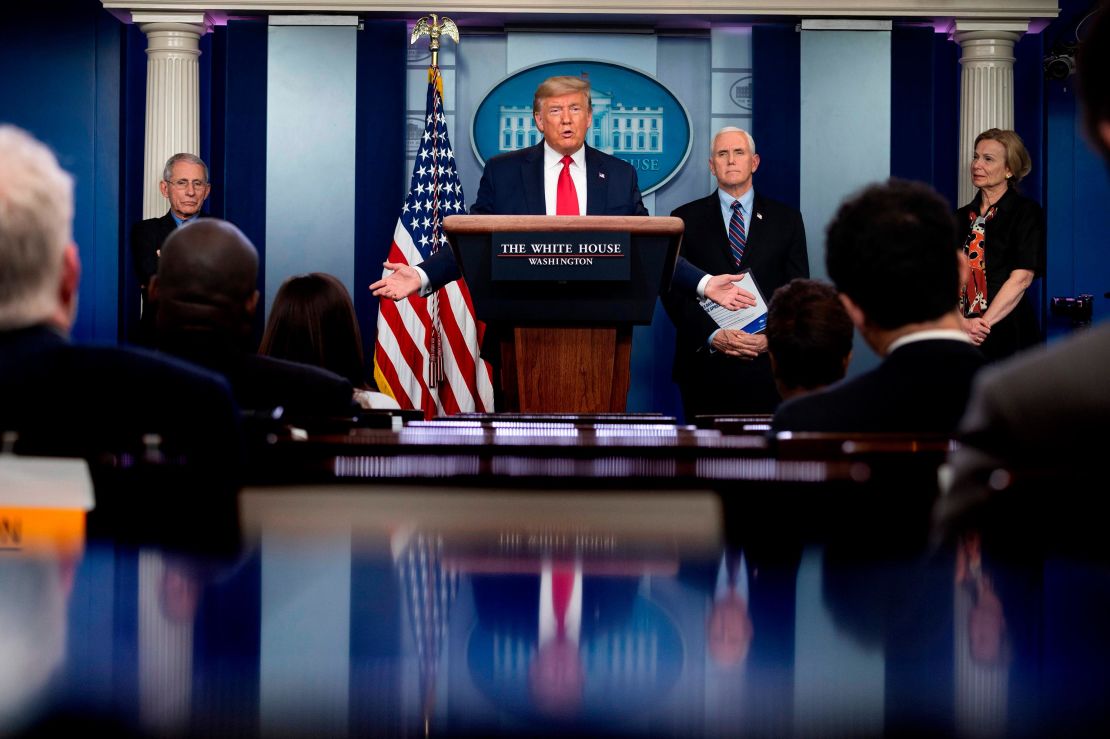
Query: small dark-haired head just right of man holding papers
809, 335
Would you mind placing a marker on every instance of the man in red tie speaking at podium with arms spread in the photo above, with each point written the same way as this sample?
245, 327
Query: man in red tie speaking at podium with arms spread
563, 176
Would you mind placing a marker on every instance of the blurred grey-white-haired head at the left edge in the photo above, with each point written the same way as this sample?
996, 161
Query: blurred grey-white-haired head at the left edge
36, 226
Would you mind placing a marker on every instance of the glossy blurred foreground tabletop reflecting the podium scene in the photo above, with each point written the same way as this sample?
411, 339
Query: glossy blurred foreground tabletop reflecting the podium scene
350, 612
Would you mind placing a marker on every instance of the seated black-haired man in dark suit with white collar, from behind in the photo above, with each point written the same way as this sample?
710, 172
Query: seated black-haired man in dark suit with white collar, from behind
890, 252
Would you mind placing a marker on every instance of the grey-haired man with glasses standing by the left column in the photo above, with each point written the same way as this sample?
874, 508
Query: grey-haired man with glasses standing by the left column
186, 185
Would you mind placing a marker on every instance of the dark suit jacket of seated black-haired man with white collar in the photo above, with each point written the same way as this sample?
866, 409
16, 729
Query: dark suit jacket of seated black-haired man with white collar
923, 387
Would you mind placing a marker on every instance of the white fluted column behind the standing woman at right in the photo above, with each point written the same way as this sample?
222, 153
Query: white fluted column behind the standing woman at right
986, 85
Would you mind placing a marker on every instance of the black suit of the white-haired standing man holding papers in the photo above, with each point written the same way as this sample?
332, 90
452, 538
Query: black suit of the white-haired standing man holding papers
713, 382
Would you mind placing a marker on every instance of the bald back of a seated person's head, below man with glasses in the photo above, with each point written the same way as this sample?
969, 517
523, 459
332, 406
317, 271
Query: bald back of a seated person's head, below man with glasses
207, 278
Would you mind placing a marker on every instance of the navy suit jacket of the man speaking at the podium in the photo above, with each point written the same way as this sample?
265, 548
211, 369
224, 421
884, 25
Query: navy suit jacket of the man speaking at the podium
513, 185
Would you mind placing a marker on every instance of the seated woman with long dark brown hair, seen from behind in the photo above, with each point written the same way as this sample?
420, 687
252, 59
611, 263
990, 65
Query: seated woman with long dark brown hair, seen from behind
312, 321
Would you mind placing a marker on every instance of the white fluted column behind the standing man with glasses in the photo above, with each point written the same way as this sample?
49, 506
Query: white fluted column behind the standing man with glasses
173, 96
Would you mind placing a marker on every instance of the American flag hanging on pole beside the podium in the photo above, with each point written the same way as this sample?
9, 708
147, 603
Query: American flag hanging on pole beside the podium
427, 355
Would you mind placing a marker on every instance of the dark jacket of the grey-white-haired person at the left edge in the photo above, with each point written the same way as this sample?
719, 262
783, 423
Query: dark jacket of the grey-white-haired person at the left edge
84, 401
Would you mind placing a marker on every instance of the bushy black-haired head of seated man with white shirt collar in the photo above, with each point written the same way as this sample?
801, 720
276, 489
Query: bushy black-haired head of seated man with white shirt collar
892, 249
